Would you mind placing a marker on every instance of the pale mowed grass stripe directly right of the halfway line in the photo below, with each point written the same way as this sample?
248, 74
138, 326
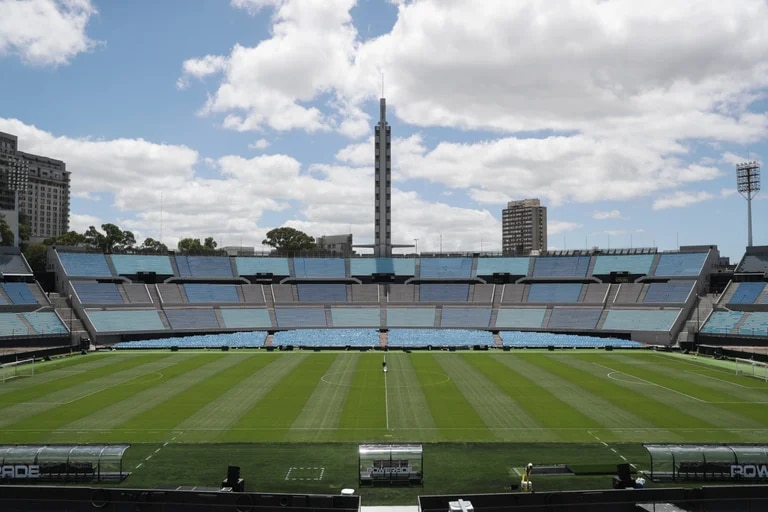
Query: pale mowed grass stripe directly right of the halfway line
408, 408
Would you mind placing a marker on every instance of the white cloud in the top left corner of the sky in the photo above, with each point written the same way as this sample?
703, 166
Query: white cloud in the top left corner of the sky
45, 32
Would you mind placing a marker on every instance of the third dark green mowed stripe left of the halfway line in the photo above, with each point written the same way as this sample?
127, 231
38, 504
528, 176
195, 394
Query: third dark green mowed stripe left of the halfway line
164, 417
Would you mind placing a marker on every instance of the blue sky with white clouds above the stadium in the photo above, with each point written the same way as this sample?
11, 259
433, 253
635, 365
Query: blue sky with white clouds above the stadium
228, 118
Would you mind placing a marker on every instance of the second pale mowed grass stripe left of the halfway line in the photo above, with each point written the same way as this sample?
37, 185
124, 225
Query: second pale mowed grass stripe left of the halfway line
212, 422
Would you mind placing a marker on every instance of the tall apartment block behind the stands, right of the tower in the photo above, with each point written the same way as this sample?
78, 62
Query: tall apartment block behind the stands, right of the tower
523, 227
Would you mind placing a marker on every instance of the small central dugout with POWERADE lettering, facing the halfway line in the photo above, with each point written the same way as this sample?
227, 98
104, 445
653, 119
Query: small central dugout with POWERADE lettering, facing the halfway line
391, 464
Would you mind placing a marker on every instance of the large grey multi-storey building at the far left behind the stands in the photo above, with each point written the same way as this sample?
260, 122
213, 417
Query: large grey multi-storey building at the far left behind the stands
43, 189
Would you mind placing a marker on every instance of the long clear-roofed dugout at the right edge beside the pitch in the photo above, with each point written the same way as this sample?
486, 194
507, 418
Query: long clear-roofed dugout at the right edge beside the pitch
706, 462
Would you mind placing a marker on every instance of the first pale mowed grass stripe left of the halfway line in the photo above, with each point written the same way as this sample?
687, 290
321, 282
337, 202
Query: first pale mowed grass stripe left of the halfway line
320, 415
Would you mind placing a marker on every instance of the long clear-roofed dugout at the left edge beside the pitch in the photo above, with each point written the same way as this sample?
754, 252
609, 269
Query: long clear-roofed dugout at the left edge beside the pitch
64, 463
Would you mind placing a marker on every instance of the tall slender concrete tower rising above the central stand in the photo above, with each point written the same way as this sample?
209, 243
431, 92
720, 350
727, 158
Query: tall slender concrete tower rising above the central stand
383, 186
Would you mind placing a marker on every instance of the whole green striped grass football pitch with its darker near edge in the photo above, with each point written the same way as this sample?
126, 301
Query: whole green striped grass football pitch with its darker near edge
292, 420
